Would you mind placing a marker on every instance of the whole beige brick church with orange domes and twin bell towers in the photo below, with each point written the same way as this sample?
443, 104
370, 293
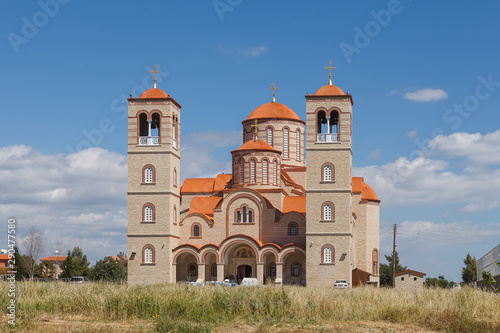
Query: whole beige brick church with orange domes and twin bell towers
290, 212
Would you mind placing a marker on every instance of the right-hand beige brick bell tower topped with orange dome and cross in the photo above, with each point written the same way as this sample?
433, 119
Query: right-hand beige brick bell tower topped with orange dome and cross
329, 227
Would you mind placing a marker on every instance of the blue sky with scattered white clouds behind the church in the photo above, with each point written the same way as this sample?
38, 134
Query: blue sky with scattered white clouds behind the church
424, 77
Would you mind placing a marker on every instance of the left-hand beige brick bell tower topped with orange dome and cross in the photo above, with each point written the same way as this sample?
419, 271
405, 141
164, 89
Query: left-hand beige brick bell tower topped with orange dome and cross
153, 185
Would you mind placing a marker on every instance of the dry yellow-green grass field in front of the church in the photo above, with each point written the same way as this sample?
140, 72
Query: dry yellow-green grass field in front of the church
92, 307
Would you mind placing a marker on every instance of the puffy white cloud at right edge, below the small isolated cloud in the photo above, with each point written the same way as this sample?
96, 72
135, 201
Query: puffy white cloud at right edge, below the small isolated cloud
477, 148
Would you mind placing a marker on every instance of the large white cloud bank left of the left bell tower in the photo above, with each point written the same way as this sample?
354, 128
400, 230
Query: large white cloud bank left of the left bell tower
79, 198
